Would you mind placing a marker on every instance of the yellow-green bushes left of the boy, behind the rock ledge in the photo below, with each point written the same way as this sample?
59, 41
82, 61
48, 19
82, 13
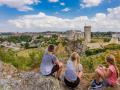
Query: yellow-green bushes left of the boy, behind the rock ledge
20, 61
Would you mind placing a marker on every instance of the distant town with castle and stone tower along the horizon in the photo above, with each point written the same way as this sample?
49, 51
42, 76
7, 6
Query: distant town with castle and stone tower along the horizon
87, 37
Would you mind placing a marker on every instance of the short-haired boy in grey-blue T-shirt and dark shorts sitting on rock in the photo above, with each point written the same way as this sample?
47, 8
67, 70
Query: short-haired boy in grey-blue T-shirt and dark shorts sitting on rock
50, 63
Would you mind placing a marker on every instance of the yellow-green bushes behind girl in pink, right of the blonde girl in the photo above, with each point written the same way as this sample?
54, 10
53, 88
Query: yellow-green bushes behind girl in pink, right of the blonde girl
91, 62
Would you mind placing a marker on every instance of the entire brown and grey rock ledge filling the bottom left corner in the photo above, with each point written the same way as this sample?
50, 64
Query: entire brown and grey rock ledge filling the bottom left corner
11, 80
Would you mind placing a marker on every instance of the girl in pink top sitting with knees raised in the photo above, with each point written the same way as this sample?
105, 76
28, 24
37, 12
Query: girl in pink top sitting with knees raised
108, 75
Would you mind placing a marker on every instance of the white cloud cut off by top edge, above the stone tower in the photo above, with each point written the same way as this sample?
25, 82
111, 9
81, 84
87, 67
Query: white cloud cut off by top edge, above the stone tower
90, 3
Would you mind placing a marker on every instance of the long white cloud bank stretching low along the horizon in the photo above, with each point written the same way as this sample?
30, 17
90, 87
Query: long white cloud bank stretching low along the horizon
41, 21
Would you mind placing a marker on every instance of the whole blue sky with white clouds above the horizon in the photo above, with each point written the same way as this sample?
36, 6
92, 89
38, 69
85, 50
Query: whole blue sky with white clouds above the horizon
59, 15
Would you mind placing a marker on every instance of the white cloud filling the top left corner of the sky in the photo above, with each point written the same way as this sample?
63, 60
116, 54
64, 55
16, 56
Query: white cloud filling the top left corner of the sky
21, 5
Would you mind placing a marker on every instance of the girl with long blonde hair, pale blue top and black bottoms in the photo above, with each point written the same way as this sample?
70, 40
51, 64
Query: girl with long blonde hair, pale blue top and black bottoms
73, 72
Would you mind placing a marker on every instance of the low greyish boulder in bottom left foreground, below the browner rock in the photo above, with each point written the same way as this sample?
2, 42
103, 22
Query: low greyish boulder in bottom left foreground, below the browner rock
29, 81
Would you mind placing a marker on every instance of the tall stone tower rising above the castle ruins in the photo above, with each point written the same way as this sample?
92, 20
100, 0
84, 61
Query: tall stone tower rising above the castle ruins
87, 32
